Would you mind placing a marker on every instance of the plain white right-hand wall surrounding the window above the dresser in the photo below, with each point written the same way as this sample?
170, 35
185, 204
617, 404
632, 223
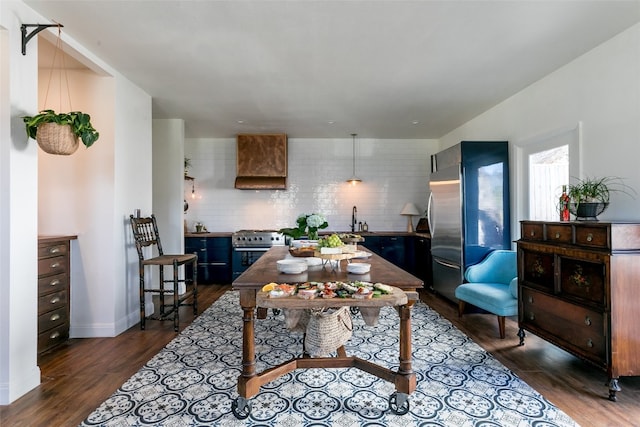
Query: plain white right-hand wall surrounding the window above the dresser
601, 89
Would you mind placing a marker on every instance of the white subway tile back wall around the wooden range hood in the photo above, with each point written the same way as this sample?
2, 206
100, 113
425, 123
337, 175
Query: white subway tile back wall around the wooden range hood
393, 172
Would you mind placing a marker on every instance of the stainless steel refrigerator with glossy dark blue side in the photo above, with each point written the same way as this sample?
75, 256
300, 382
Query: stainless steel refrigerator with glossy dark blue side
468, 212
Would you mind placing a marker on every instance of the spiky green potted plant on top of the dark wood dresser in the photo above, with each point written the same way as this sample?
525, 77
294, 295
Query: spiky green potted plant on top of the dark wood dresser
590, 196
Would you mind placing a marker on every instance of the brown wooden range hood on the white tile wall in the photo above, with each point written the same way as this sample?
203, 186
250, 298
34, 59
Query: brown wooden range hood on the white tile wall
261, 162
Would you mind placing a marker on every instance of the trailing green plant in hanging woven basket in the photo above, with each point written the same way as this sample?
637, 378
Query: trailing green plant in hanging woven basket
58, 133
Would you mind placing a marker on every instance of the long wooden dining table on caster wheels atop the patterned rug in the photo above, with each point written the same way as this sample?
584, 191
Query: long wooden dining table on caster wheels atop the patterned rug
255, 305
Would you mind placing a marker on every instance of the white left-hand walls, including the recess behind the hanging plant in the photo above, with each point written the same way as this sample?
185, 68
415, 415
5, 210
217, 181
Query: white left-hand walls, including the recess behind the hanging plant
99, 187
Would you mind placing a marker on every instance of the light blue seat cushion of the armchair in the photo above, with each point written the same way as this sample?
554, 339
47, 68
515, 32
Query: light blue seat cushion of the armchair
495, 298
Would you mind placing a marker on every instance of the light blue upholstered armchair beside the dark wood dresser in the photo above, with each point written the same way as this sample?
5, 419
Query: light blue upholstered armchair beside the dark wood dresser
491, 285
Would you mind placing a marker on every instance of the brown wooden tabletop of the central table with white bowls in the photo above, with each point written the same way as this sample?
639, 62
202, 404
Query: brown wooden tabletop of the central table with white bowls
382, 271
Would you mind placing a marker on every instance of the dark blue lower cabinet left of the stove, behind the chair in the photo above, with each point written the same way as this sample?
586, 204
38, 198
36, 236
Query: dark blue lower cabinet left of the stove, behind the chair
214, 258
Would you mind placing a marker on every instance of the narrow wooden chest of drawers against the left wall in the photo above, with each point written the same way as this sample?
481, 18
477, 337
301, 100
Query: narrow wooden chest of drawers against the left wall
53, 291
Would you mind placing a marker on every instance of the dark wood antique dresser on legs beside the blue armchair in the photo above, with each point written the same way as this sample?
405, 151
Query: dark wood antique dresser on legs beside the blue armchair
579, 288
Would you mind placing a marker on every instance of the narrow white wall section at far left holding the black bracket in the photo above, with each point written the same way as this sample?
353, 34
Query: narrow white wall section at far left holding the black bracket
18, 211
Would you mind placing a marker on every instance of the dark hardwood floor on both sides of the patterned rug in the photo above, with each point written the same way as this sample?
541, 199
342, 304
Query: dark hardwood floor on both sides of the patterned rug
83, 373
